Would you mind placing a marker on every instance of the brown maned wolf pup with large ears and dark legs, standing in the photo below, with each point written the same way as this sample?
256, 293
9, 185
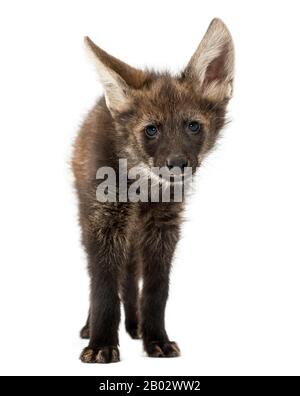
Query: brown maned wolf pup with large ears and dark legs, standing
149, 119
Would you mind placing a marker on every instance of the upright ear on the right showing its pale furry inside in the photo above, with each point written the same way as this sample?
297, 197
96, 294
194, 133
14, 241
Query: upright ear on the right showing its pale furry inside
212, 65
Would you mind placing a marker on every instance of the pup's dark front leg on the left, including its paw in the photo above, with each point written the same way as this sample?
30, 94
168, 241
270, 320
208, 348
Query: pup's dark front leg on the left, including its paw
107, 249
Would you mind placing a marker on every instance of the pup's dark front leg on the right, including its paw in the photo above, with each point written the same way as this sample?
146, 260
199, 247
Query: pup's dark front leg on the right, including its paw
161, 234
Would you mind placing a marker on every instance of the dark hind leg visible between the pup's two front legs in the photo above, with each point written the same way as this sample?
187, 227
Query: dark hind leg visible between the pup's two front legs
130, 296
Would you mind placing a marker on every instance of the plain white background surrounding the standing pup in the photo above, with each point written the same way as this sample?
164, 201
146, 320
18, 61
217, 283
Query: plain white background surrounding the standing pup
234, 301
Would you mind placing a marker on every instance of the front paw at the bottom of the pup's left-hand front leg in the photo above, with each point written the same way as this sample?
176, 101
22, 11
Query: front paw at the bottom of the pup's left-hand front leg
109, 354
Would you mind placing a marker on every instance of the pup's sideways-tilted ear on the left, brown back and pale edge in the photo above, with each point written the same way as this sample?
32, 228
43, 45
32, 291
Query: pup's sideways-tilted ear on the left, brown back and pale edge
116, 77
